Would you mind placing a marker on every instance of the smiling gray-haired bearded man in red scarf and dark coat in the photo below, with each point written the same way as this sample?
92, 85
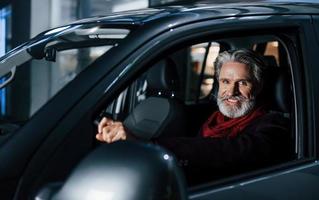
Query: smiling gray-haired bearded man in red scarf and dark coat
241, 136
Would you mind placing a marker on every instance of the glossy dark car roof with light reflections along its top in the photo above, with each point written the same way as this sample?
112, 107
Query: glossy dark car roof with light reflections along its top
152, 21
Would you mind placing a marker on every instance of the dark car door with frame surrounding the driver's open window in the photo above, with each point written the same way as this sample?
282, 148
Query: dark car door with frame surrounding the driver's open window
73, 135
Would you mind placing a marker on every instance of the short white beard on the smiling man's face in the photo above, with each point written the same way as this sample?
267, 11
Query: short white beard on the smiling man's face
245, 106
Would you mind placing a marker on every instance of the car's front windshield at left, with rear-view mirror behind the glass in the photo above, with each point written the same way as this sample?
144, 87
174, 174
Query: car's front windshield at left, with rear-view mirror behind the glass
46, 64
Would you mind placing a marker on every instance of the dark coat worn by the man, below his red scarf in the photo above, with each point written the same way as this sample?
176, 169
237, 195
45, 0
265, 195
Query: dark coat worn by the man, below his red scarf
265, 141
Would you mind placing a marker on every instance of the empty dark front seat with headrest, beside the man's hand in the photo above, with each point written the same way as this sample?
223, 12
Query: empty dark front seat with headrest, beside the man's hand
162, 113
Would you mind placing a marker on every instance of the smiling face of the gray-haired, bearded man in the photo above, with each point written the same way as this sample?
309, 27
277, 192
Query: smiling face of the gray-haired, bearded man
235, 94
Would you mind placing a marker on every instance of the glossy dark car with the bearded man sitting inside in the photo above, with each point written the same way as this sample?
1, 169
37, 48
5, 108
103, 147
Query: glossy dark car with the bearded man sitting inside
153, 69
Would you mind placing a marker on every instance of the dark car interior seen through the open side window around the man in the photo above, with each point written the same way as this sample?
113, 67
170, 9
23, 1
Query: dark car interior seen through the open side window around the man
175, 96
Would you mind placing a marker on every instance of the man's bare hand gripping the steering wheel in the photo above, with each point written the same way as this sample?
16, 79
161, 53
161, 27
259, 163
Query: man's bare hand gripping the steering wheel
110, 131
